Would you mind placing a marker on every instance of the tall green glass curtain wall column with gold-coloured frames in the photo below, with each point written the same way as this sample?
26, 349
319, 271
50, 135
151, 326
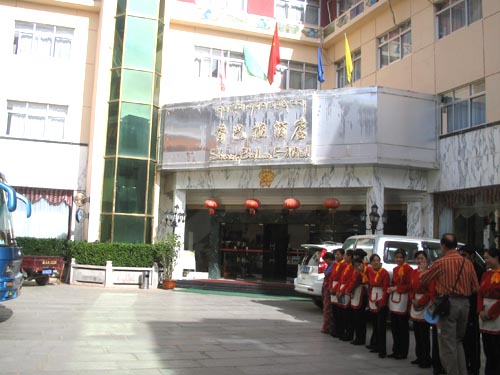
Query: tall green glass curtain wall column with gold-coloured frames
131, 149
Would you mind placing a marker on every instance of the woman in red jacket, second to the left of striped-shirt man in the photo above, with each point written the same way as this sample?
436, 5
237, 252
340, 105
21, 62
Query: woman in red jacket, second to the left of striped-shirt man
398, 306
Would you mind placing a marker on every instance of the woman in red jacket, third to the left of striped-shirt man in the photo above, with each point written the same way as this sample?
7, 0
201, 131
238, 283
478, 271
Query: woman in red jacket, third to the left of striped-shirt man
378, 282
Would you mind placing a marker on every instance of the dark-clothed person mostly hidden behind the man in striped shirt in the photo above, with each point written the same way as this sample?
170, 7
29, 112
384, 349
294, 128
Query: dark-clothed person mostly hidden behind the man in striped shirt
472, 339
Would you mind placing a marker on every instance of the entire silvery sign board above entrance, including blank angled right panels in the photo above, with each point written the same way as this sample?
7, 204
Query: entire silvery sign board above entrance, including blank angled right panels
352, 126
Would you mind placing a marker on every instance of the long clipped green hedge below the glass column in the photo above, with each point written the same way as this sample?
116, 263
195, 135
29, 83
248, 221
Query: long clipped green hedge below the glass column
93, 253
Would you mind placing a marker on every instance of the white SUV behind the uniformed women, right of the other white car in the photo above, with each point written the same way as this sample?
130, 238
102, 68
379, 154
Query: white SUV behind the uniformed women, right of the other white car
386, 245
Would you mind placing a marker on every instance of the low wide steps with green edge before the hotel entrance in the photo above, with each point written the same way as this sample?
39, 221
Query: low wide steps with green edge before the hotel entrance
240, 286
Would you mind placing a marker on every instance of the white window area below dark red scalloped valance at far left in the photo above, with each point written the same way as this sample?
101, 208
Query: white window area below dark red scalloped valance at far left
46, 221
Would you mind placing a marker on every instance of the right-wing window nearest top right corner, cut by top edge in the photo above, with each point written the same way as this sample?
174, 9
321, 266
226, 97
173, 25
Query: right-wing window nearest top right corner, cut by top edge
452, 15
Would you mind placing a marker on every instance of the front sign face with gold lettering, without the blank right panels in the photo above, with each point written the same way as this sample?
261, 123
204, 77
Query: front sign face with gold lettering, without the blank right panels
257, 130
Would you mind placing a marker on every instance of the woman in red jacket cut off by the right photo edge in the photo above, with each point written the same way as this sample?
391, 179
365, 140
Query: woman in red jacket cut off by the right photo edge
488, 305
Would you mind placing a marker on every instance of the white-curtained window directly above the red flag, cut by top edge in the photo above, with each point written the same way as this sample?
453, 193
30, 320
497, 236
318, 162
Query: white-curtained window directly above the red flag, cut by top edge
299, 11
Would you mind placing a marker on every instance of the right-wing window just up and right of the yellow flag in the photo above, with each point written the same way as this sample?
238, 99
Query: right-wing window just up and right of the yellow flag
394, 45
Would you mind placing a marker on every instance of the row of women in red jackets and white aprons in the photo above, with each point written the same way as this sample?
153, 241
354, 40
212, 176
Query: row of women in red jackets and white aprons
355, 292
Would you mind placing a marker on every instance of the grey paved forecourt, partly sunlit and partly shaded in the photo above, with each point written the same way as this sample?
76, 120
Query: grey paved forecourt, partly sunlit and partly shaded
70, 330
